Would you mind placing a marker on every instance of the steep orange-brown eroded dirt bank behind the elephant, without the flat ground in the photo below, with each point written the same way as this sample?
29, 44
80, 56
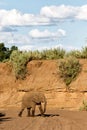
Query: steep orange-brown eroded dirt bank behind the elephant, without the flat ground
43, 76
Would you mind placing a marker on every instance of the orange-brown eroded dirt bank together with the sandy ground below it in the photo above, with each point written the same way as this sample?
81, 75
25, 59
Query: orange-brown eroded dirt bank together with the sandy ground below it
43, 76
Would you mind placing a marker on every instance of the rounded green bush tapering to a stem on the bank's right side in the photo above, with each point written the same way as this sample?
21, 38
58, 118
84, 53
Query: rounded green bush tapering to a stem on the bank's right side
69, 68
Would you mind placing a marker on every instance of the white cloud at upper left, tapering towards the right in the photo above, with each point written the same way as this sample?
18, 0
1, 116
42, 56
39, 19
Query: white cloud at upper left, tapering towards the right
16, 18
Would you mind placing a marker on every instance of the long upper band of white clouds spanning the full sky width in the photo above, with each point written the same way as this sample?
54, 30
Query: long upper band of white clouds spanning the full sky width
49, 15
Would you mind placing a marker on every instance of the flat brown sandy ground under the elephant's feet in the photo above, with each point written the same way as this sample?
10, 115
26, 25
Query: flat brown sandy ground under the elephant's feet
53, 120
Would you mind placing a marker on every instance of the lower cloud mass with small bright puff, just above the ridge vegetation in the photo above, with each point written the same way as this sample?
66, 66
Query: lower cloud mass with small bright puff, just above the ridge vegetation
45, 39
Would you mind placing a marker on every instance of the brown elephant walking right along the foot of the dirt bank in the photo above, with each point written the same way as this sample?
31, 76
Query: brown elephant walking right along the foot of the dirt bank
30, 100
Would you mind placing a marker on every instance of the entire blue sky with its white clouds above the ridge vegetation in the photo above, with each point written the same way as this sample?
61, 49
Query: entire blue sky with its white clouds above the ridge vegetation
43, 24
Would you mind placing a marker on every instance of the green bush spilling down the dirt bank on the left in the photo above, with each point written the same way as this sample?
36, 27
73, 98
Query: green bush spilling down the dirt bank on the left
19, 61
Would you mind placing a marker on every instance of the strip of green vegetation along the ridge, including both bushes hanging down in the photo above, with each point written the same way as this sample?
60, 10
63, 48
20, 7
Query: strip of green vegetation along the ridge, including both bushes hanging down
69, 68
